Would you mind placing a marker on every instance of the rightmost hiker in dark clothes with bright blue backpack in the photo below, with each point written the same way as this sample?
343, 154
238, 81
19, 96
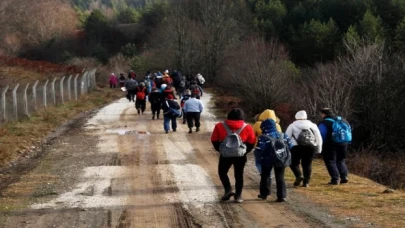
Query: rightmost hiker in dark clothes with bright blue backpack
336, 135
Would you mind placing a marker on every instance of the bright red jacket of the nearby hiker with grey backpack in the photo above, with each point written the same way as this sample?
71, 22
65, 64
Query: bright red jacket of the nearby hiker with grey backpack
247, 135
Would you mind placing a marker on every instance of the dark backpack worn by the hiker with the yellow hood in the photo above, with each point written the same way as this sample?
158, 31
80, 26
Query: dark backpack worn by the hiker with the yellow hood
280, 155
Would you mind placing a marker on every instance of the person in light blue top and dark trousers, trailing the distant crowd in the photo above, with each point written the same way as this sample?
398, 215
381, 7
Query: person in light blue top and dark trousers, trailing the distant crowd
193, 108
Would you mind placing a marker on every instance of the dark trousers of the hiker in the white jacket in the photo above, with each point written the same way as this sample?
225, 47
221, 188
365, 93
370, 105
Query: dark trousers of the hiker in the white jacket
302, 155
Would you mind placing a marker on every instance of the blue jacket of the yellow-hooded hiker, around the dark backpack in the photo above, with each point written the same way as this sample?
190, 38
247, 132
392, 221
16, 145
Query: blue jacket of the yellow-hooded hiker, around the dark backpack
268, 128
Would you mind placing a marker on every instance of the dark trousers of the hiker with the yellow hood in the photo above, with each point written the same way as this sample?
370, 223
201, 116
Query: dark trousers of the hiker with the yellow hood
265, 182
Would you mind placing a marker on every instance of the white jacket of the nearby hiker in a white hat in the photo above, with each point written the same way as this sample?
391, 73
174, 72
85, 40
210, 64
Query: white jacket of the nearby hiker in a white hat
294, 130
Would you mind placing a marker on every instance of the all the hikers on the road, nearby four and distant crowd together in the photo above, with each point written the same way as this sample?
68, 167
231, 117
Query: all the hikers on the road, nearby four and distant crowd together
234, 139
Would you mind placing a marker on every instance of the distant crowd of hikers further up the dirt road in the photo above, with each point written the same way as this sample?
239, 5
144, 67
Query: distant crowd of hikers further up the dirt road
161, 90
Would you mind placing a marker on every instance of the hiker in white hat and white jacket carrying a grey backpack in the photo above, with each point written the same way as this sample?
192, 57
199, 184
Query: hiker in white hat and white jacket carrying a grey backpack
307, 141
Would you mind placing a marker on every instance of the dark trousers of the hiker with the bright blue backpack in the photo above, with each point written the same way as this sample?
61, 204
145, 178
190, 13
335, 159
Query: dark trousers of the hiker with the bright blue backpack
334, 158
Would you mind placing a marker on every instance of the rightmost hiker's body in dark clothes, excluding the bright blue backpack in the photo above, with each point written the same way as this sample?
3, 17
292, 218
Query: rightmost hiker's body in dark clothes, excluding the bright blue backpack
333, 153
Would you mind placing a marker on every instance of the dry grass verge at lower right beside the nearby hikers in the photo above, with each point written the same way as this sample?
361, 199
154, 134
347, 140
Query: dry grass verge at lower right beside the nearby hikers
361, 198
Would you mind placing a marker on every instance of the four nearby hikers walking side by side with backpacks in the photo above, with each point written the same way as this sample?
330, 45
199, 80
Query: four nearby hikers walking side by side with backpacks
275, 150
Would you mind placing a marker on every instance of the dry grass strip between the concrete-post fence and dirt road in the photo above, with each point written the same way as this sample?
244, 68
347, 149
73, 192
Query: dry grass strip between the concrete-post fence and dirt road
20, 136
